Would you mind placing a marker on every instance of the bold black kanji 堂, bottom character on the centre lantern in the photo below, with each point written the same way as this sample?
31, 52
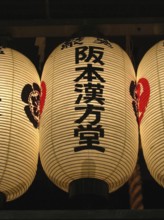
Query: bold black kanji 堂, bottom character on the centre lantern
89, 137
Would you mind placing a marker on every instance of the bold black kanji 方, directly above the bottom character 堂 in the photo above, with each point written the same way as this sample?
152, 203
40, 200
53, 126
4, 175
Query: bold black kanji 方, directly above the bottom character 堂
90, 110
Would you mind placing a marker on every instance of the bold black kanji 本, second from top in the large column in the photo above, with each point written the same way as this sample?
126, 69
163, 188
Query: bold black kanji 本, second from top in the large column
90, 73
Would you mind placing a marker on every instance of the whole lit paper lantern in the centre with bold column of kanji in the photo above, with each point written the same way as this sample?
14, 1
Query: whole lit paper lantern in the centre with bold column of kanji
88, 130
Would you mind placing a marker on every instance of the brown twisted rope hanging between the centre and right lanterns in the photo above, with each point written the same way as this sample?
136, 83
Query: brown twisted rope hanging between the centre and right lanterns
135, 182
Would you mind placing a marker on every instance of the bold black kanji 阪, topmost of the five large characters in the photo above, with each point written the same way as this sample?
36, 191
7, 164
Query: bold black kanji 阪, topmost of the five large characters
87, 53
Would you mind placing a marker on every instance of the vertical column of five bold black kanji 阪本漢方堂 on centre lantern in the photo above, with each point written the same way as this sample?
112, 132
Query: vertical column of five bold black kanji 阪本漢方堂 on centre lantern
90, 102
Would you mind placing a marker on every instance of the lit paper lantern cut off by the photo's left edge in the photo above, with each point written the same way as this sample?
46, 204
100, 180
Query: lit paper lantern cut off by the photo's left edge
19, 115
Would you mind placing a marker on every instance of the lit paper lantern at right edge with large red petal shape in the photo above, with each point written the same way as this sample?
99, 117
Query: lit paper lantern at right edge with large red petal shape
150, 92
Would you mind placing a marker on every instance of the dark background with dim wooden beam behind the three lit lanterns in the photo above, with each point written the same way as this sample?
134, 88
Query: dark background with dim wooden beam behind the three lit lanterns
136, 24
